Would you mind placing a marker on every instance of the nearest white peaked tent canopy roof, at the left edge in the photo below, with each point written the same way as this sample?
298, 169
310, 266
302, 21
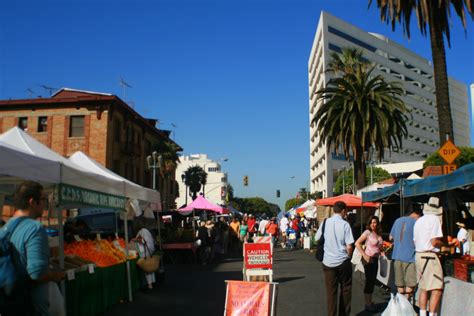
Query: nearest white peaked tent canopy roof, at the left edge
51, 167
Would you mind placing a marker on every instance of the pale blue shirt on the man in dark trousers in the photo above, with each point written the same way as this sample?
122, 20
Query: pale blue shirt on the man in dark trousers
337, 236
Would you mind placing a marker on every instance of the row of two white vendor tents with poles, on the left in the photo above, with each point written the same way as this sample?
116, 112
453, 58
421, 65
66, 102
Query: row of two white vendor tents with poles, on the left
72, 183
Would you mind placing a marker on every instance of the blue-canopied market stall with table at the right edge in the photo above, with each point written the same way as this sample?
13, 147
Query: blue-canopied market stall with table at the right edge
454, 191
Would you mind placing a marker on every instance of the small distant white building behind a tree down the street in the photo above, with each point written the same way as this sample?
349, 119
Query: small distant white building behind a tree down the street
216, 186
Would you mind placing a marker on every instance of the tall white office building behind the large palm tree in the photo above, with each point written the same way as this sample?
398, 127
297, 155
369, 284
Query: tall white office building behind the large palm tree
395, 63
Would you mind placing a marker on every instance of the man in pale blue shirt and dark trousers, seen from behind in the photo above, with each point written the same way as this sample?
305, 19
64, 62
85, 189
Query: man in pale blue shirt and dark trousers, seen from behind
336, 262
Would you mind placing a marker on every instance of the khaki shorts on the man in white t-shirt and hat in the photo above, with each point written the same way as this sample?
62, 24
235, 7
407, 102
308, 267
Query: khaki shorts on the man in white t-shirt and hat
432, 277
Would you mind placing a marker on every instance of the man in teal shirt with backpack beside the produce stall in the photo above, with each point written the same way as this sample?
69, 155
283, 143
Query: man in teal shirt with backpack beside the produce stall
30, 255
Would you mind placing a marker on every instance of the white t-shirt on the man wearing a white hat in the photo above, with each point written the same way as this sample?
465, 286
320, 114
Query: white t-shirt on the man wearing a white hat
426, 228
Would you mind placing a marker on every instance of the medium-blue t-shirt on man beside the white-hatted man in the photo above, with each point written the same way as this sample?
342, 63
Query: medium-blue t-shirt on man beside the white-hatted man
402, 234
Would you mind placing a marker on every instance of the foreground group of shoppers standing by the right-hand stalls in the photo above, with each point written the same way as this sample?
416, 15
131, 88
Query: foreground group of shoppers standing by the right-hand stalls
417, 239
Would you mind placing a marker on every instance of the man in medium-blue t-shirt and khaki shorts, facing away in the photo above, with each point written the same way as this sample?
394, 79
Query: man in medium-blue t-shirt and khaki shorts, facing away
403, 254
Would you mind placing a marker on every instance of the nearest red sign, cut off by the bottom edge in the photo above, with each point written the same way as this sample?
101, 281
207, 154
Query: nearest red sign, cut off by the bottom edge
247, 298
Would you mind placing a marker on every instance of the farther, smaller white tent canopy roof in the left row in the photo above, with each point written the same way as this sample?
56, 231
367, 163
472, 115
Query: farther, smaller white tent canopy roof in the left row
132, 190
